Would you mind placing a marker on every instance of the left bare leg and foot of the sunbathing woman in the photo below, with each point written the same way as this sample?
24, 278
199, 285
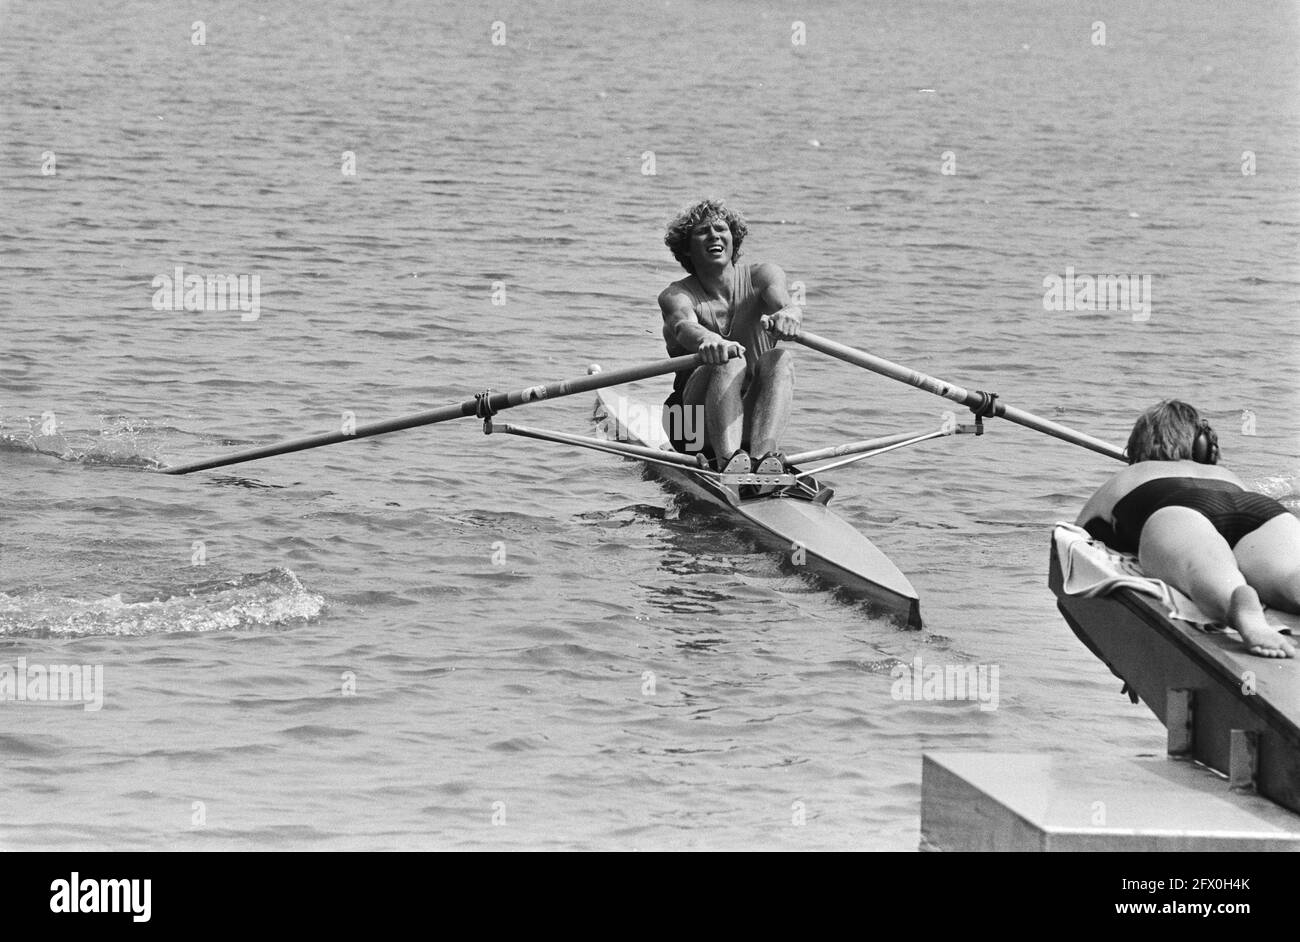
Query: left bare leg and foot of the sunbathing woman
1182, 548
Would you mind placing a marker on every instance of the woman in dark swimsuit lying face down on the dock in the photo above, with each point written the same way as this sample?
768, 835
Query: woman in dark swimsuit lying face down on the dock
1194, 526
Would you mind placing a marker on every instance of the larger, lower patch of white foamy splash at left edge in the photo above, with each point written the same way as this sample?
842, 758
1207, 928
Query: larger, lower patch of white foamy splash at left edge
268, 600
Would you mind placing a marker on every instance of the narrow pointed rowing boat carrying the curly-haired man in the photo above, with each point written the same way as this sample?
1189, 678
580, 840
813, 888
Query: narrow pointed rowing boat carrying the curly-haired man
824, 541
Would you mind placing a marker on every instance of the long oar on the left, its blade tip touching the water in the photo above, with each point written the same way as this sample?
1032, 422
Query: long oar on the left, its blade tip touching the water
496, 403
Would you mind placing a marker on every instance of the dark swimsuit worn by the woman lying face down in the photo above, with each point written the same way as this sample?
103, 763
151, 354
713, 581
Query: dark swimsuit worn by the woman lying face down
1234, 511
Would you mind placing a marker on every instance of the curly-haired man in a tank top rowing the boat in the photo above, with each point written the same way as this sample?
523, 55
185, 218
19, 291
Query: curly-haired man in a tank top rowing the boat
747, 384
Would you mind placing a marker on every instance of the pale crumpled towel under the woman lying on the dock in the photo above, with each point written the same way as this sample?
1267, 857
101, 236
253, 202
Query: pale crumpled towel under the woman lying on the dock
1093, 568
